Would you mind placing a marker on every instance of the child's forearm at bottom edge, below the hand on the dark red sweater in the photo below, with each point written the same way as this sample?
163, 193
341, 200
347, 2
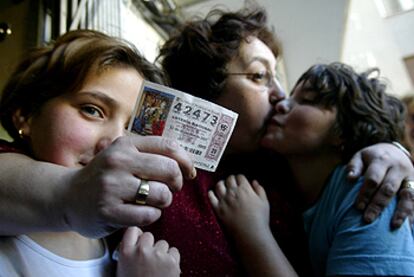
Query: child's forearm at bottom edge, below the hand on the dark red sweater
262, 256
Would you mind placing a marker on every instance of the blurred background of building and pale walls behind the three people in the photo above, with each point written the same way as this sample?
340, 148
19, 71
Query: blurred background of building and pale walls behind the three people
362, 33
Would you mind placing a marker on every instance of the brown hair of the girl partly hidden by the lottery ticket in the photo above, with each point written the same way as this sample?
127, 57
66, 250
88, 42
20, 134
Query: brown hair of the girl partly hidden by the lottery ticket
50, 71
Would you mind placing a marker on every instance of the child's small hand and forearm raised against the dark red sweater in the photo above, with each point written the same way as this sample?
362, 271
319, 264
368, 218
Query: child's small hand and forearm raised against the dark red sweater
244, 210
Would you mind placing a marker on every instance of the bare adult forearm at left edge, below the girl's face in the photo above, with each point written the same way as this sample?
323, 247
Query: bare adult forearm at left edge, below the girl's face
31, 194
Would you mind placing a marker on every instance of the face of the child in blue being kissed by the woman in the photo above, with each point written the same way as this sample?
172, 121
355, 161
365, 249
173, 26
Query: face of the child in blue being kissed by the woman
299, 126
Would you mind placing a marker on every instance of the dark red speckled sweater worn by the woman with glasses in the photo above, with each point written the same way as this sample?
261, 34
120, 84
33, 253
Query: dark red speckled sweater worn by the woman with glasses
206, 250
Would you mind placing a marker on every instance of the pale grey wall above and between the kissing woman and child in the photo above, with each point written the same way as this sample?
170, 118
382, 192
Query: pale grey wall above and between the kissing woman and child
311, 31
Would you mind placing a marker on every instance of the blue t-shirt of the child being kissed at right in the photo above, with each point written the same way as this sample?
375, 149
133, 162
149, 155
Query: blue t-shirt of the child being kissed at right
341, 243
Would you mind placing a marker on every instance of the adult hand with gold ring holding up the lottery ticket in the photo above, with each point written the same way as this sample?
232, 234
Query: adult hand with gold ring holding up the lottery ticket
100, 198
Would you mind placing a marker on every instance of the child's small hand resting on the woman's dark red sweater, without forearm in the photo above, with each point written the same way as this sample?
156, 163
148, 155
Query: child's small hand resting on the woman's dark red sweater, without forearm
241, 206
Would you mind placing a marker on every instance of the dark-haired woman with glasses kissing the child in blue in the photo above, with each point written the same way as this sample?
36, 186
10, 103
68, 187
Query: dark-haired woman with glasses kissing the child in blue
230, 59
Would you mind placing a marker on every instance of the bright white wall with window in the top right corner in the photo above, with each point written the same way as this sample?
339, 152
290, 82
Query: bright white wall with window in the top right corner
373, 41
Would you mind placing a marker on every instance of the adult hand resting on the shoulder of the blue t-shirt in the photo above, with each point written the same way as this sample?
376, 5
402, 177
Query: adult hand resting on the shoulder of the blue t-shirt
384, 167
